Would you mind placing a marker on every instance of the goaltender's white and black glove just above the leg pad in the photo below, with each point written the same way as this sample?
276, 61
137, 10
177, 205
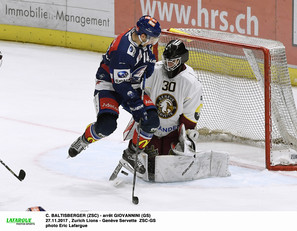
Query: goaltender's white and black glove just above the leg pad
188, 142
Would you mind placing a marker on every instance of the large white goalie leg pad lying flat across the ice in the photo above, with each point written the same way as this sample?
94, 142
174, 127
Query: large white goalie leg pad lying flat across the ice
185, 168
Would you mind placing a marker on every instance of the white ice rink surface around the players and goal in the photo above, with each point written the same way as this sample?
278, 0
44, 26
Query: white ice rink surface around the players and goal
46, 101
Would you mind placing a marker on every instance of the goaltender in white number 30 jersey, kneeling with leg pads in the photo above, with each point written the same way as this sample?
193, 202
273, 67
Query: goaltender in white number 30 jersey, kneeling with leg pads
173, 152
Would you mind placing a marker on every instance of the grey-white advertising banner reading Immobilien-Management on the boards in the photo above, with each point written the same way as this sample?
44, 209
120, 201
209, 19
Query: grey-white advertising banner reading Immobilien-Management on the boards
95, 17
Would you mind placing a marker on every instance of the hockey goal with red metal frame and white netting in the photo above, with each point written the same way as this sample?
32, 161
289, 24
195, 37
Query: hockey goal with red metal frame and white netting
247, 91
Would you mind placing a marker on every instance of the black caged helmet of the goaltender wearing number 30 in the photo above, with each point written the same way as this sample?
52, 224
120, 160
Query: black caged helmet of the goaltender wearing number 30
174, 55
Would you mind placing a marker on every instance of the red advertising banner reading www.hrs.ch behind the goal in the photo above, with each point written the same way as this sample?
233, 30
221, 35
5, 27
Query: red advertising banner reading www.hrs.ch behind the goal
264, 19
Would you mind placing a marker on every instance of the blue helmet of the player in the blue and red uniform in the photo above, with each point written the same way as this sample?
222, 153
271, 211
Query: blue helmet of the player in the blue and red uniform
149, 26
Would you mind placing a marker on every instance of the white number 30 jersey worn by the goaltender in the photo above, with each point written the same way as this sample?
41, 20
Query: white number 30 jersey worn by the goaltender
181, 95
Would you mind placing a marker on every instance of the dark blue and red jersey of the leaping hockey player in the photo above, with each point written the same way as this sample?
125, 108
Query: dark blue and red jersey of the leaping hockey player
123, 66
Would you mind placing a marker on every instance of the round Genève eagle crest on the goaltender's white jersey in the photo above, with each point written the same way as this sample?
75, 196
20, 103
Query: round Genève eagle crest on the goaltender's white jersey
167, 106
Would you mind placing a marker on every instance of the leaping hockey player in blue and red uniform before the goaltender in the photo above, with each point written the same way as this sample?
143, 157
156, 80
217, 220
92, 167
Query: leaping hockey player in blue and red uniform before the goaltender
118, 79
